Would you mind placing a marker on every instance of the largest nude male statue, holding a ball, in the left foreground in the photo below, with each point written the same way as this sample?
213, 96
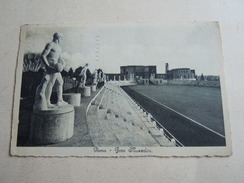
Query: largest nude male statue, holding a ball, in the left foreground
54, 64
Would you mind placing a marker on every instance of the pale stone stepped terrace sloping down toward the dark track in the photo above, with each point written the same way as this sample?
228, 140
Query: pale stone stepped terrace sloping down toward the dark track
113, 119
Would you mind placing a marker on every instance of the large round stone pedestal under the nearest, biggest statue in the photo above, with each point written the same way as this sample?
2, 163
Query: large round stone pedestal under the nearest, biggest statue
52, 126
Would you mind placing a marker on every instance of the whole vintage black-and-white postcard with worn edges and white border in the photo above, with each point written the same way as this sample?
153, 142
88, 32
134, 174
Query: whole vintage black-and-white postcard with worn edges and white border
120, 90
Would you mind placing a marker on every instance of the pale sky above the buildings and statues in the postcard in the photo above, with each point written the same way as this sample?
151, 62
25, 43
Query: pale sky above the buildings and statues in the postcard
109, 46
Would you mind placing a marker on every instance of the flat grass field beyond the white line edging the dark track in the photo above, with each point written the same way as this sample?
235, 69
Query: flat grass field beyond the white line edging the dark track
202, 104
